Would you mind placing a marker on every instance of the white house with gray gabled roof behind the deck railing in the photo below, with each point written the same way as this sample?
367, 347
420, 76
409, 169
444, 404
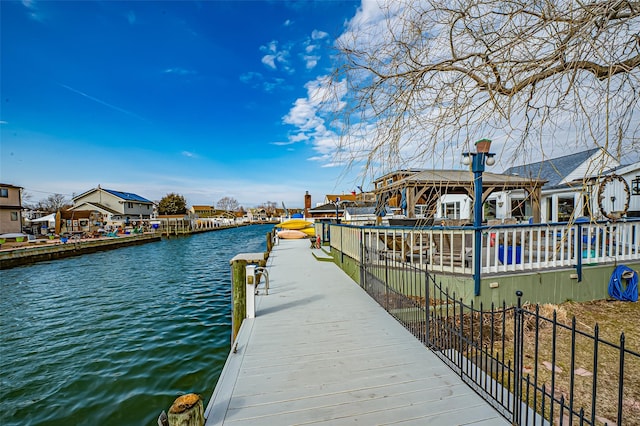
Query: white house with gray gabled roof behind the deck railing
590, 184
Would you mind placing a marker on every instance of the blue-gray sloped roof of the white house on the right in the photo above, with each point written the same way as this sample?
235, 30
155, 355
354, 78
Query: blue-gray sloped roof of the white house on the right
553, 170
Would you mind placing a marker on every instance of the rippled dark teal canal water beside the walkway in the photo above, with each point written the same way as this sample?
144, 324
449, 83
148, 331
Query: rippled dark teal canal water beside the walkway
112, 338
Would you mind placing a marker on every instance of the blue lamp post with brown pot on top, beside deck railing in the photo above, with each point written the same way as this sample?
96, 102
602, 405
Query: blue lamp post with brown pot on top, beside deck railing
477, 160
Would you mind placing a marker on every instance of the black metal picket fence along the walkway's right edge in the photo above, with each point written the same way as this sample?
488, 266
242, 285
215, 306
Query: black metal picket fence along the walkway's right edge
528, 361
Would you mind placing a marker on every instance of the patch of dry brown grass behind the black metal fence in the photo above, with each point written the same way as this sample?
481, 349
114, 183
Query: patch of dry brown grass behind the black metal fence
612, 319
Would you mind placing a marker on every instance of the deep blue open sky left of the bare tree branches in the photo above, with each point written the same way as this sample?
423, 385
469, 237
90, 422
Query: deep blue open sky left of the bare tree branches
205, 99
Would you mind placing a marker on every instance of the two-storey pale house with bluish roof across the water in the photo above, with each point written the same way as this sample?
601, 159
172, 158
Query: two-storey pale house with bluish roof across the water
114, 205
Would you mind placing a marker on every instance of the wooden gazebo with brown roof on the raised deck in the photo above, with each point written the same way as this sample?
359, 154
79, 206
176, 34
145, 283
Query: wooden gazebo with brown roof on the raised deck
425, 187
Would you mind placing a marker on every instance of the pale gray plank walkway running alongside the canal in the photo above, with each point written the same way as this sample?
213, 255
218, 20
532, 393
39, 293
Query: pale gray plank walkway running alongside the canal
321, 351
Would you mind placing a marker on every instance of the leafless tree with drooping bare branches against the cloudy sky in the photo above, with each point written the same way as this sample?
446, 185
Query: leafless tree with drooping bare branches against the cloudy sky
533, 75
